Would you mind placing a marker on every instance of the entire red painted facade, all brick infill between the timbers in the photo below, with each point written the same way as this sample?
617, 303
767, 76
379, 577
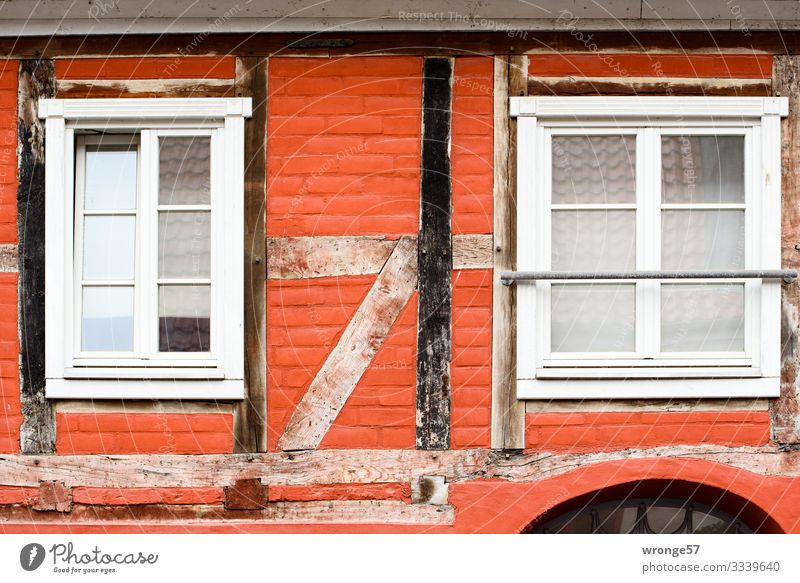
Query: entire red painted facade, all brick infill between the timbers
343, 159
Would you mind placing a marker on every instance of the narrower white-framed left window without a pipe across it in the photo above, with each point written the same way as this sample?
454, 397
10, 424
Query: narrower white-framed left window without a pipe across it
144, 248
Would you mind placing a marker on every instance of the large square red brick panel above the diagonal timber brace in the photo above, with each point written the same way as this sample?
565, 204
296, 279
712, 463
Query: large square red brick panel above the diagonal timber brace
344, 144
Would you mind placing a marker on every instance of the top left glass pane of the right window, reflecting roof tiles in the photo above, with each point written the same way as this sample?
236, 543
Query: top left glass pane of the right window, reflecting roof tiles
594, 169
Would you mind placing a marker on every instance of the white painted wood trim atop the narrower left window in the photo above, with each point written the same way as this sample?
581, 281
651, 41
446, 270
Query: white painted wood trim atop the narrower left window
146, 108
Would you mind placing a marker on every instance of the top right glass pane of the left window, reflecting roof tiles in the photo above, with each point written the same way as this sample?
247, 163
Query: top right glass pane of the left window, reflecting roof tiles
184, 174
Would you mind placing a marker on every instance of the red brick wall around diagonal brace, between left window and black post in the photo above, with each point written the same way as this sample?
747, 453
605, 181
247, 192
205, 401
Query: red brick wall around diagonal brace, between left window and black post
343, 159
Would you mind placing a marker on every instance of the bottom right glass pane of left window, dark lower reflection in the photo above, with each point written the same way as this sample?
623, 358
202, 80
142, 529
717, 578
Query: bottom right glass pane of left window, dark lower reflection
184, 318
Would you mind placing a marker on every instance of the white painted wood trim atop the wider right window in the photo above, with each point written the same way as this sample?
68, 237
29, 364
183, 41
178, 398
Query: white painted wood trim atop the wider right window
648, 107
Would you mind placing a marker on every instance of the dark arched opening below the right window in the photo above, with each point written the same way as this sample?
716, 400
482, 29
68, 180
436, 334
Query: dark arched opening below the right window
655, 506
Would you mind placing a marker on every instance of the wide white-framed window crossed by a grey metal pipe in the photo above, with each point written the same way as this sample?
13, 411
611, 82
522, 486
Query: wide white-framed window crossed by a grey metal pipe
645, 226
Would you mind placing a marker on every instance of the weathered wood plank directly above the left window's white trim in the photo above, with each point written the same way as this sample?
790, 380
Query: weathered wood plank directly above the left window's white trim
70, 88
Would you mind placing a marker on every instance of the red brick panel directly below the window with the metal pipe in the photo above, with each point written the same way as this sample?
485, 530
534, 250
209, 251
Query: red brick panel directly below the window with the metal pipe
587, 432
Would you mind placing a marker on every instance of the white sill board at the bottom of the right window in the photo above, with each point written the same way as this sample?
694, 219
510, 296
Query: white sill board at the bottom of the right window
661, 388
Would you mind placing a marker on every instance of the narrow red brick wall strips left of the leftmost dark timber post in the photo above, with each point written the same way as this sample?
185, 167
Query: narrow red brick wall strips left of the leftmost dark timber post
10, 415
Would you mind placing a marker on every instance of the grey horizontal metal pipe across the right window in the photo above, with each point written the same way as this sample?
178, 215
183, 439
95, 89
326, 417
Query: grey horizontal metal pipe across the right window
787, 275
